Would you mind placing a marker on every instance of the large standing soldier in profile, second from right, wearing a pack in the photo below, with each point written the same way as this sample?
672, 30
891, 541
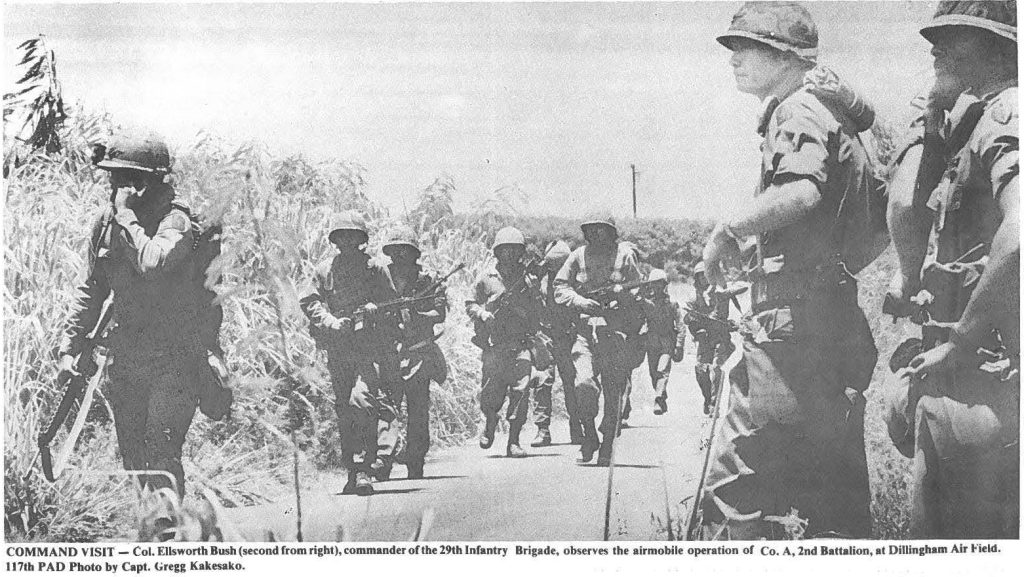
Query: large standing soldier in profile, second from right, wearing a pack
793, 439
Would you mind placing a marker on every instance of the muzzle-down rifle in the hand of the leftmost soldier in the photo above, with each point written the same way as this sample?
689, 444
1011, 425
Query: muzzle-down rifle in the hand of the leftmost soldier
78, 386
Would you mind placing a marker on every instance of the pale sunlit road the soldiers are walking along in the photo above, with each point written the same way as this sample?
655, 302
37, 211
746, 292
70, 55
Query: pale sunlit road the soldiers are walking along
478, 496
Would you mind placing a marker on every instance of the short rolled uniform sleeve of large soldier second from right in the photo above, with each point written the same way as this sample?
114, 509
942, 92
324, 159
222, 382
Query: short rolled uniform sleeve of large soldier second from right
799, 144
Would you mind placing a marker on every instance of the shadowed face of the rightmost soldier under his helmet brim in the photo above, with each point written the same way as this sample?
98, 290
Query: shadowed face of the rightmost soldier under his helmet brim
963, 59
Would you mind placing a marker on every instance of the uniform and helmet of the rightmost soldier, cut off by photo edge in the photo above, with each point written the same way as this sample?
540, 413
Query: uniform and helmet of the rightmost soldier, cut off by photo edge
962, 428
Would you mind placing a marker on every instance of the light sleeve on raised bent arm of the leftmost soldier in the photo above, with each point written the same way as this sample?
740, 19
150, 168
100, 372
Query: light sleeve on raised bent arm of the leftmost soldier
170, 245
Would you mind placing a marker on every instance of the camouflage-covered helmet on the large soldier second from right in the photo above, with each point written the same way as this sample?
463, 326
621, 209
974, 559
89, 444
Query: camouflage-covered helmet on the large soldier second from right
784, 26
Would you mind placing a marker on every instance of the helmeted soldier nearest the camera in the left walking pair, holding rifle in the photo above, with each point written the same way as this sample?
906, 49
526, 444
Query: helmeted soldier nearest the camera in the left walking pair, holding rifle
342, 310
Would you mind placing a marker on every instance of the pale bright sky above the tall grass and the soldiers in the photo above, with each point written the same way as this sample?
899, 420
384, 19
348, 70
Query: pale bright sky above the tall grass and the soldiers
557, 100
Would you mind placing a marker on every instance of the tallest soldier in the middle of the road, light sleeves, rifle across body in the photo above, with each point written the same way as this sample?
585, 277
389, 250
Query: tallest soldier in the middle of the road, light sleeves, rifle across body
603, 352
